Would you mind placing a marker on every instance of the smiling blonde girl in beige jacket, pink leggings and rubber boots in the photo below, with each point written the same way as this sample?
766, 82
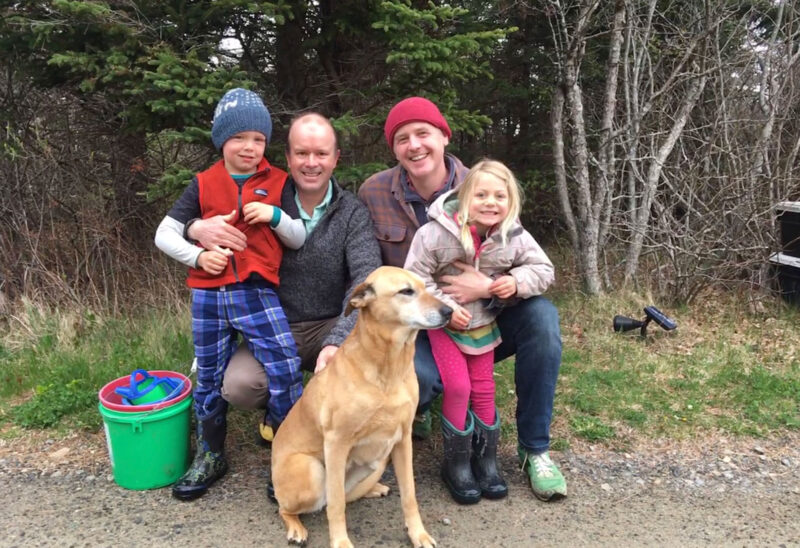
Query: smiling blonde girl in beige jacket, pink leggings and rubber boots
478, 224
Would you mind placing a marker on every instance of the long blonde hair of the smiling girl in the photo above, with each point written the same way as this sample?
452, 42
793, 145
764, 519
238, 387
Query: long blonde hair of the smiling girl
480, 171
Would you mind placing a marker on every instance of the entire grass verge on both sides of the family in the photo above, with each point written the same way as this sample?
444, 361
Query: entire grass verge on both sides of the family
723, 370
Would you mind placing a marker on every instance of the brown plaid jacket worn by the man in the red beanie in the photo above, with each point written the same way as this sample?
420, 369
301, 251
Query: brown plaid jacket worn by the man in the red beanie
393, 217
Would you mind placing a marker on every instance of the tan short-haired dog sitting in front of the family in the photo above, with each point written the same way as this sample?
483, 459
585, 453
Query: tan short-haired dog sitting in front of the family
357, 412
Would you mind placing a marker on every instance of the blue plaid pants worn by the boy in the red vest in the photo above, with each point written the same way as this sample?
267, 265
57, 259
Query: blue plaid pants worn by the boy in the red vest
256, 313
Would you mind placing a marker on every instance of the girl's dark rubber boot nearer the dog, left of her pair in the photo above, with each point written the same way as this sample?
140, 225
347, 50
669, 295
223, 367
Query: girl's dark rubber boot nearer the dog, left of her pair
456, 471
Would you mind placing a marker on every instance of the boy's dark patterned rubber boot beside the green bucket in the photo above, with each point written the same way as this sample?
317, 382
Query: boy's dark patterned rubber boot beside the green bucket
209, 463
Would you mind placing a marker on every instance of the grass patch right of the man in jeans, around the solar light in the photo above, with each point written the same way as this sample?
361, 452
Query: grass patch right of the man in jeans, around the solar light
721, 370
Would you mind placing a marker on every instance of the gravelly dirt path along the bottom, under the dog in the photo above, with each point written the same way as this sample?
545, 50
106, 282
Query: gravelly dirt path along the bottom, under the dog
720, 492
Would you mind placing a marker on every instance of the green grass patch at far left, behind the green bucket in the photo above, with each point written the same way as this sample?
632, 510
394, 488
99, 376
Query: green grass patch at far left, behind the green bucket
51, 378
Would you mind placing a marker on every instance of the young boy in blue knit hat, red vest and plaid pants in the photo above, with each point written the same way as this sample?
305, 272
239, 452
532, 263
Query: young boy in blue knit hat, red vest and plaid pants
234, 291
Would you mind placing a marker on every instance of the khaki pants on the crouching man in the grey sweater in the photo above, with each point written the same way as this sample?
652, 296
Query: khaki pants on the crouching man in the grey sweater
245, 382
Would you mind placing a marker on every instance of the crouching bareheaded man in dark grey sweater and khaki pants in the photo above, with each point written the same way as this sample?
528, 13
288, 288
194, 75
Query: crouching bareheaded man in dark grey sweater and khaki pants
339, 251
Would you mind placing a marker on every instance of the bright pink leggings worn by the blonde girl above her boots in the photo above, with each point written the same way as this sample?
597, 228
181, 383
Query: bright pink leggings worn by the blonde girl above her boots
466, 378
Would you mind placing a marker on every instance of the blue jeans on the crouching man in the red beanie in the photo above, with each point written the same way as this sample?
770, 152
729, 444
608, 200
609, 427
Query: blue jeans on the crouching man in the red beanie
530, 329
